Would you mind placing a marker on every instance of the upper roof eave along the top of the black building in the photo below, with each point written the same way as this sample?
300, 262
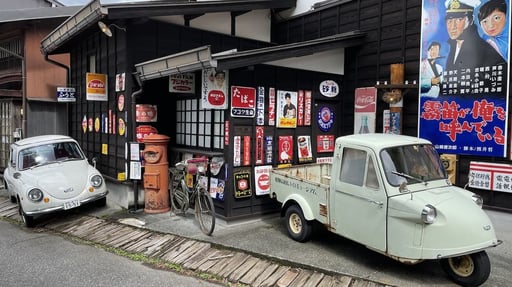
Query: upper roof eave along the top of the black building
94, 11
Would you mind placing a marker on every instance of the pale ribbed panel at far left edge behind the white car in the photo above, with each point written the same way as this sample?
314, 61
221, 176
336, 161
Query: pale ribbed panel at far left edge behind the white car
10, 119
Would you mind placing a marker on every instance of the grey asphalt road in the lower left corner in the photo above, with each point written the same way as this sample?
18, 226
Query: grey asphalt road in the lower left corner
30, 258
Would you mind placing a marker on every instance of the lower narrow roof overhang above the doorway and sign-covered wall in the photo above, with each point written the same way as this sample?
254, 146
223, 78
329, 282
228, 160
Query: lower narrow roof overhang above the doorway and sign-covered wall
200, 58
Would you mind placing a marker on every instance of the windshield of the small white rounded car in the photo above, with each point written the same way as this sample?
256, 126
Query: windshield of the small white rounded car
49, 153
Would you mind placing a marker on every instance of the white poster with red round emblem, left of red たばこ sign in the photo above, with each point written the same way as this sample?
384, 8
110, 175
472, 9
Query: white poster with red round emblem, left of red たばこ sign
214, 89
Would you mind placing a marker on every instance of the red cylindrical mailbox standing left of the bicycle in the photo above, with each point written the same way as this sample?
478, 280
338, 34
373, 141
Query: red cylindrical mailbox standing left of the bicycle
156, 178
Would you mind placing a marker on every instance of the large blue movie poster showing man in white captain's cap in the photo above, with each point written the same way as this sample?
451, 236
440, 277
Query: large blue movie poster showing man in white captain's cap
463, 106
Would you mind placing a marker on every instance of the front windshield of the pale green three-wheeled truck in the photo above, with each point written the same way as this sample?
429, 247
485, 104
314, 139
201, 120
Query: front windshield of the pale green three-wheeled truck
417, 163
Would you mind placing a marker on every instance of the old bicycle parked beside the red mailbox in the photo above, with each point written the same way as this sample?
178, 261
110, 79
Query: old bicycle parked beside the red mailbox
186, 190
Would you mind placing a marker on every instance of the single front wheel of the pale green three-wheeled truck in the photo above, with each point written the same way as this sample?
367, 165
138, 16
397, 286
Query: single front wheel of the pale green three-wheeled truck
468, 270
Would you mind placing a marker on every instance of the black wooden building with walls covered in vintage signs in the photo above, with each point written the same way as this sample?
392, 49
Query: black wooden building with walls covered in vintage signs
260, 47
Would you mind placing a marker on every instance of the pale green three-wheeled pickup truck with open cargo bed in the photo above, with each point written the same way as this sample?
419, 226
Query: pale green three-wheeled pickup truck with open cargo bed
390, 193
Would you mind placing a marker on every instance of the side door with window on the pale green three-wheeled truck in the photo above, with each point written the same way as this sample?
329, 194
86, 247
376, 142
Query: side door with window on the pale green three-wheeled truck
359, 201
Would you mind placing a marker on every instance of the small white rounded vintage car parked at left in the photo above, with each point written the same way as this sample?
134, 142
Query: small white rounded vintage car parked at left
51, 173
